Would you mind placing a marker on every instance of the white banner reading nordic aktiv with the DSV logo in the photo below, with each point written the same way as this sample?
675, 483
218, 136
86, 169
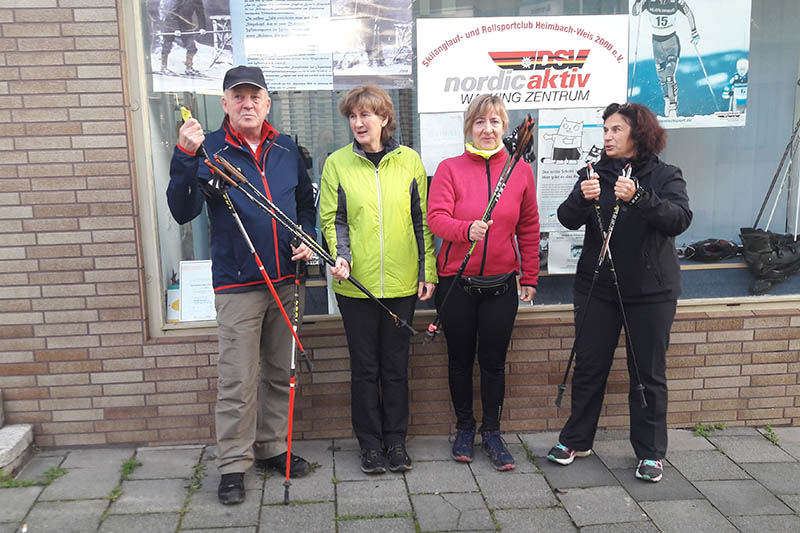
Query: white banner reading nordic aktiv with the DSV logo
530, 62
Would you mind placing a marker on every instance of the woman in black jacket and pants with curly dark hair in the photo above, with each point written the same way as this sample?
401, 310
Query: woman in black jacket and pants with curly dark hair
652, 208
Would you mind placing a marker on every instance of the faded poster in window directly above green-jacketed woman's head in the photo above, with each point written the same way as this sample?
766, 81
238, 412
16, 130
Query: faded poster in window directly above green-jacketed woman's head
373, 43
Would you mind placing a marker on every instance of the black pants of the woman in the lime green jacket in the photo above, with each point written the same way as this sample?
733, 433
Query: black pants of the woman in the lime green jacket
378, 369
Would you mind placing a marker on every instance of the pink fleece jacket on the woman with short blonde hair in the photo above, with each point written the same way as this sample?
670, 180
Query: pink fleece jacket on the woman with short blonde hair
459, 194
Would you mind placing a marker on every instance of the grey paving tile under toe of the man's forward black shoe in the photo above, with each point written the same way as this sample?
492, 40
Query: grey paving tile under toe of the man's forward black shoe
205, 511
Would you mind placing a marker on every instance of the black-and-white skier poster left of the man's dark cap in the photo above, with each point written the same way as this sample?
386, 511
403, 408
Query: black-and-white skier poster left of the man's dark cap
190, 45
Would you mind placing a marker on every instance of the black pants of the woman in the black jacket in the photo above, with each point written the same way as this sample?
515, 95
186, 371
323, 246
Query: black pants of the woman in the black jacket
649, 331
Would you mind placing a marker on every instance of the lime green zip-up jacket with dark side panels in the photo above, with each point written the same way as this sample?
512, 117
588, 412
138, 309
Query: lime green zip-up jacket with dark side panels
375, 219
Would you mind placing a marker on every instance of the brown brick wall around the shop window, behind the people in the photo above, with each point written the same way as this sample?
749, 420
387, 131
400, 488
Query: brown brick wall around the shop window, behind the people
75, 356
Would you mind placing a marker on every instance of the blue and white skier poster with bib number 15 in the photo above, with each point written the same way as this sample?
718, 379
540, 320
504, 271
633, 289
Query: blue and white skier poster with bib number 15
689, 61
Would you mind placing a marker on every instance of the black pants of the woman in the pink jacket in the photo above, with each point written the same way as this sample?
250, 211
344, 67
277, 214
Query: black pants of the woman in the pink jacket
482, 322
